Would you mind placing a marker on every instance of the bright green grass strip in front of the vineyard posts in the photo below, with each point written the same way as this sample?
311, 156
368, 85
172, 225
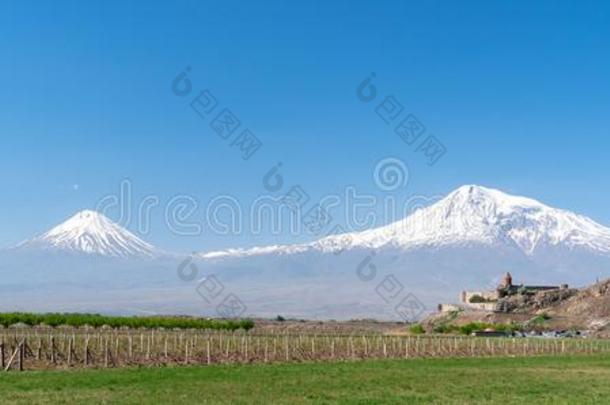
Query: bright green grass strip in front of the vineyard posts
547, 380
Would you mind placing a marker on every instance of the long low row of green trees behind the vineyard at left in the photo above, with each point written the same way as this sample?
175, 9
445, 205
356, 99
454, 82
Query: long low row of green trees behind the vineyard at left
96, 320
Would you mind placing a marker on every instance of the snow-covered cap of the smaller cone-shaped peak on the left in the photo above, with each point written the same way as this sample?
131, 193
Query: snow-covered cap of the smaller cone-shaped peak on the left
90, 232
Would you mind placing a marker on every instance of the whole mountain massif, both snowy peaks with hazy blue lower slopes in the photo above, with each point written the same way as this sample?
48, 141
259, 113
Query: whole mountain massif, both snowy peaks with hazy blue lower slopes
467, 240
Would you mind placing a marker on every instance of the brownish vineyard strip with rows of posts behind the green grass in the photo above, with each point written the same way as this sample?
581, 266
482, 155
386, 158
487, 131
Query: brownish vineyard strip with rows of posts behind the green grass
35, 350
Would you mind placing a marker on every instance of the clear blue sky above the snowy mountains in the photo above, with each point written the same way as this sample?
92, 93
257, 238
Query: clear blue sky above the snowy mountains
519, 93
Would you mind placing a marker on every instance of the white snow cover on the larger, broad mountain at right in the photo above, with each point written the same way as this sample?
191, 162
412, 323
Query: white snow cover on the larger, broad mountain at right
470, 215
